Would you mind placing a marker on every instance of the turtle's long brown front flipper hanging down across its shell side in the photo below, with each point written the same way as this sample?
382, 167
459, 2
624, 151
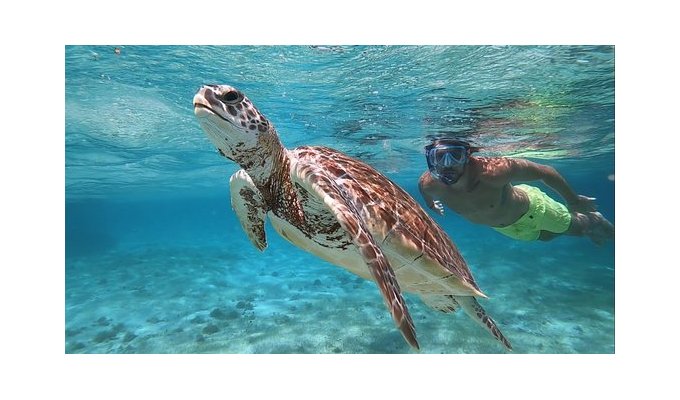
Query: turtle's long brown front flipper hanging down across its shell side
345, 211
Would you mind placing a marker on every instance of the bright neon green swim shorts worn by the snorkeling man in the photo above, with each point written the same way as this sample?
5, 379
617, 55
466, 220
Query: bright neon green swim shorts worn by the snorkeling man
544, 214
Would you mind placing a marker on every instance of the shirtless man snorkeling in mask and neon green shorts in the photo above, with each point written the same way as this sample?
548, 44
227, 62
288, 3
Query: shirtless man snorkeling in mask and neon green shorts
480, 189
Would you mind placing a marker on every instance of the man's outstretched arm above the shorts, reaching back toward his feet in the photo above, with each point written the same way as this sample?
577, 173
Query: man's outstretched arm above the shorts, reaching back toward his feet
525, 170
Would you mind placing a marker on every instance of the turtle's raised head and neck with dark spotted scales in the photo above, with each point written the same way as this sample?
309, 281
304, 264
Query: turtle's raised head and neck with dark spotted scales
233, 124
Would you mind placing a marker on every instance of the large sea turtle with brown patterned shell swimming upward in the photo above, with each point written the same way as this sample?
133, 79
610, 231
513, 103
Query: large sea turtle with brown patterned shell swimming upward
340, 209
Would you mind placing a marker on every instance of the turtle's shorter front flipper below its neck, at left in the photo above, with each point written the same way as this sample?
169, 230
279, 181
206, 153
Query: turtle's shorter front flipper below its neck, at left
247, 202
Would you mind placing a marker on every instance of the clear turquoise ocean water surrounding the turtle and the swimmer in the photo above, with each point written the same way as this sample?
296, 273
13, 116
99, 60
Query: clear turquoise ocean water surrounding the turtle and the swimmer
156, 261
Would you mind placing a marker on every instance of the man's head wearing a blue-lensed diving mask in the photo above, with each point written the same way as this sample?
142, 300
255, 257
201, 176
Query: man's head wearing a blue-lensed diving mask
447, 158
